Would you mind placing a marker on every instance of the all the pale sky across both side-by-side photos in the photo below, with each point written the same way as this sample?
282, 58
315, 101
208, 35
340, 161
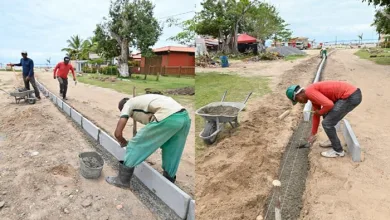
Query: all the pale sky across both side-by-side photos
42, 26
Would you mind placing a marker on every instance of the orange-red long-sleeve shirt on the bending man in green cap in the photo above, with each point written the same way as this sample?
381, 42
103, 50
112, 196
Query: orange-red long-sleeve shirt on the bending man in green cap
325, 94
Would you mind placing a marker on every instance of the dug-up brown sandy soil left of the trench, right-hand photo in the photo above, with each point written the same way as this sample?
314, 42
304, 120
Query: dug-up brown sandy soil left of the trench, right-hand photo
234, 176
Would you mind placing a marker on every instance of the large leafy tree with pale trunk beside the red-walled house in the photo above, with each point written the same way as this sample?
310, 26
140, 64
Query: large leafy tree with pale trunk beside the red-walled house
131, 24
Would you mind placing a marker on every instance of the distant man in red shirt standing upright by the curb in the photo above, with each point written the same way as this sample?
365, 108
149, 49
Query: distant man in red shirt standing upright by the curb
61, 73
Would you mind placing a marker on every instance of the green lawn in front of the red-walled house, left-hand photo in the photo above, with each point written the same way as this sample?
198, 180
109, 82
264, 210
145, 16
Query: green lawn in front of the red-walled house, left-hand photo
126, 85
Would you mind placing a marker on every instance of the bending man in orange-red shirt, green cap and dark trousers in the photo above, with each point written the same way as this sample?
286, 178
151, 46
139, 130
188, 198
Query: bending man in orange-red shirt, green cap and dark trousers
331, 99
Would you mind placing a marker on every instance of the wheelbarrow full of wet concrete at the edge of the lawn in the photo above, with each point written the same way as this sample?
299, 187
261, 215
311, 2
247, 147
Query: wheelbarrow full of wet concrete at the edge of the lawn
215, 121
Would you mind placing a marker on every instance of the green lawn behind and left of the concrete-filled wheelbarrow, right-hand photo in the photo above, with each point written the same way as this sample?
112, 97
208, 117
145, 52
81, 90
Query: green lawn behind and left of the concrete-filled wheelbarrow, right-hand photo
210, 87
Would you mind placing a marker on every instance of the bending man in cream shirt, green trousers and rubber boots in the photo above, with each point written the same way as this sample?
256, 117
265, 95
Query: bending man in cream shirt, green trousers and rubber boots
167, 126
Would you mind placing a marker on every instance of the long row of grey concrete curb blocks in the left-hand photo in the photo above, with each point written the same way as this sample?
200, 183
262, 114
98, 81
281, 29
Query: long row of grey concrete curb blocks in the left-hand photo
176, 199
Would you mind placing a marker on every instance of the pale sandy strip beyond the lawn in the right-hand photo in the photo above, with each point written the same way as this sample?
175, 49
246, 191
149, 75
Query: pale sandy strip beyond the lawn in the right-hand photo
272, 69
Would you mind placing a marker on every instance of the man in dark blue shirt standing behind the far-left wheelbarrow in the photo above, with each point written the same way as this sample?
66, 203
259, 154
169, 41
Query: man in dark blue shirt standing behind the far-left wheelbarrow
28, 73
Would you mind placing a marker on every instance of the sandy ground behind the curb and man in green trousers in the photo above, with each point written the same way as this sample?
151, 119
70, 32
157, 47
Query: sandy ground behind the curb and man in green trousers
100, 106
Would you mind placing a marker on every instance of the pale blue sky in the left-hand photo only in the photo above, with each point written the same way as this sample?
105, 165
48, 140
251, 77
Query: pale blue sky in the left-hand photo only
41, 27
